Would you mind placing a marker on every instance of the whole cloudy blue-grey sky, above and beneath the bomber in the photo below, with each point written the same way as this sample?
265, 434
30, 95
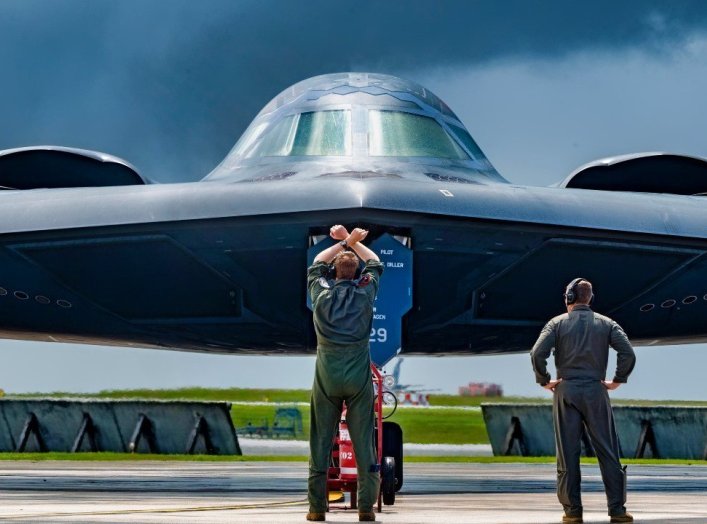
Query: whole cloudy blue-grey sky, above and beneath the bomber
170, 85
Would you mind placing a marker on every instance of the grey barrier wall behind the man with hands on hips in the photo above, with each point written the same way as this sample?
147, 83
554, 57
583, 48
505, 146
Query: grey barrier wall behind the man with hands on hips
678, 432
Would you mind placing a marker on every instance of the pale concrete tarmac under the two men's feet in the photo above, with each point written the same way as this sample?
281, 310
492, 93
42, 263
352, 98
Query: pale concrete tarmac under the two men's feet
273, 492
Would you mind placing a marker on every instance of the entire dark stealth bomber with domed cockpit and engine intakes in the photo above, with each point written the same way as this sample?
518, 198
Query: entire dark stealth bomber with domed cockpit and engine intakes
219, 265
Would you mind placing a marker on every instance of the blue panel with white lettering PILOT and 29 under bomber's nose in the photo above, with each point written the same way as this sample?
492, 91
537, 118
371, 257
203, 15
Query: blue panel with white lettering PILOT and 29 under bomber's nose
394, 295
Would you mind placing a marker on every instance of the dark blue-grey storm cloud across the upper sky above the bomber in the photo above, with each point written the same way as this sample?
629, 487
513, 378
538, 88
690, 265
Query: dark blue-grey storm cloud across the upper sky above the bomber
171, 85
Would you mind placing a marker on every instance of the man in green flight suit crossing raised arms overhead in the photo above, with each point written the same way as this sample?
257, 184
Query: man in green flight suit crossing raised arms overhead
343, 314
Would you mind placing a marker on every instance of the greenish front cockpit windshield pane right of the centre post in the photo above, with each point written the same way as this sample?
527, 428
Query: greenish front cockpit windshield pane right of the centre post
394, 133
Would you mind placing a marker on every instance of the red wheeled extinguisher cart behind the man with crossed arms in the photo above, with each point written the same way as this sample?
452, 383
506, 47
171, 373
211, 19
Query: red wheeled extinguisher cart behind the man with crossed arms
342, 474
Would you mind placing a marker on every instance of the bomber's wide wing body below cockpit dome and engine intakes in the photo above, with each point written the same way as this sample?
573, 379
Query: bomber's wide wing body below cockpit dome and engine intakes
220, 267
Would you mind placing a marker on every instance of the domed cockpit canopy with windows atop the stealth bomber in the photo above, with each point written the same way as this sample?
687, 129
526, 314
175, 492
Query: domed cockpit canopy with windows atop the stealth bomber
358, 120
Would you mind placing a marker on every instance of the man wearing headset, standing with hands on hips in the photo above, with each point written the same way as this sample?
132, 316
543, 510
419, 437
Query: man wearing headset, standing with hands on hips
581, 339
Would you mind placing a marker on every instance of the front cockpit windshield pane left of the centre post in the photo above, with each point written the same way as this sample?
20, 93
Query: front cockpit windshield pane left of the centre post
320, 133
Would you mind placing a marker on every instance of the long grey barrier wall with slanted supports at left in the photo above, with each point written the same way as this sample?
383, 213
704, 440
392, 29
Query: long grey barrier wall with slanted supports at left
136, 426
